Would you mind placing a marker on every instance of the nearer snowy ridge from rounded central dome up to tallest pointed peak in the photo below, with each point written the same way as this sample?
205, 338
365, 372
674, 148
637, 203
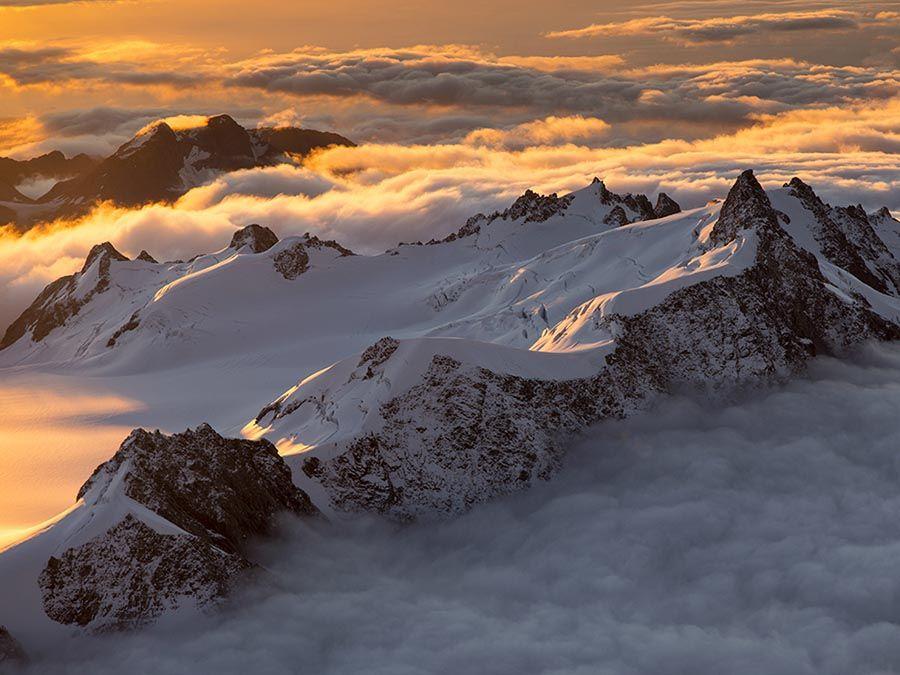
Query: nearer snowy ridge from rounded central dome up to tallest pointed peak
426, 427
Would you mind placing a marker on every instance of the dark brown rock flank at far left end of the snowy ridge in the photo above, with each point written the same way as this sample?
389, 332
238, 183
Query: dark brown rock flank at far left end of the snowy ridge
57, 303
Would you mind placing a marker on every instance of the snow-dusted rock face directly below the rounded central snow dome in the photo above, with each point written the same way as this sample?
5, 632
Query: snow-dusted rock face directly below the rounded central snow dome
463, 435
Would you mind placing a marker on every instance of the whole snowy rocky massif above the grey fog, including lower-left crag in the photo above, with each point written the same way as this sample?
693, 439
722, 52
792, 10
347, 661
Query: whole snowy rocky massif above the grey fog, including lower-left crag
504, 343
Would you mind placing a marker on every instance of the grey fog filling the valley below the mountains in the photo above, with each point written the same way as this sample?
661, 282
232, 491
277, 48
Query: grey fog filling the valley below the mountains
758, 538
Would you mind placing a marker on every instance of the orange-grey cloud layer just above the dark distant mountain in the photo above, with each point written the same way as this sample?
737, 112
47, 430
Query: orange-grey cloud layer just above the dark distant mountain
423, 94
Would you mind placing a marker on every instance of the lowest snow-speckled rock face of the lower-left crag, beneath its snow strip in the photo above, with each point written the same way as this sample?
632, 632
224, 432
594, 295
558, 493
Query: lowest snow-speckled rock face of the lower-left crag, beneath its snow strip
129, 576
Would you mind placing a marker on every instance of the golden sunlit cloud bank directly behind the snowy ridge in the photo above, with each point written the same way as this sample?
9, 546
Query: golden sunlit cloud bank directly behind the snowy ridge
373, 196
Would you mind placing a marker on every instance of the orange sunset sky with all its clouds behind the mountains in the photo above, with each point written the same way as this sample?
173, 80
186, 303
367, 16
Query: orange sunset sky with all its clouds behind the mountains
456, 108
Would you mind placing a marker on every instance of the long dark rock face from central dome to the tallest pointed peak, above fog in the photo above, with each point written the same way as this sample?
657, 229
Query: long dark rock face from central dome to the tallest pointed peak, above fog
464, 434
